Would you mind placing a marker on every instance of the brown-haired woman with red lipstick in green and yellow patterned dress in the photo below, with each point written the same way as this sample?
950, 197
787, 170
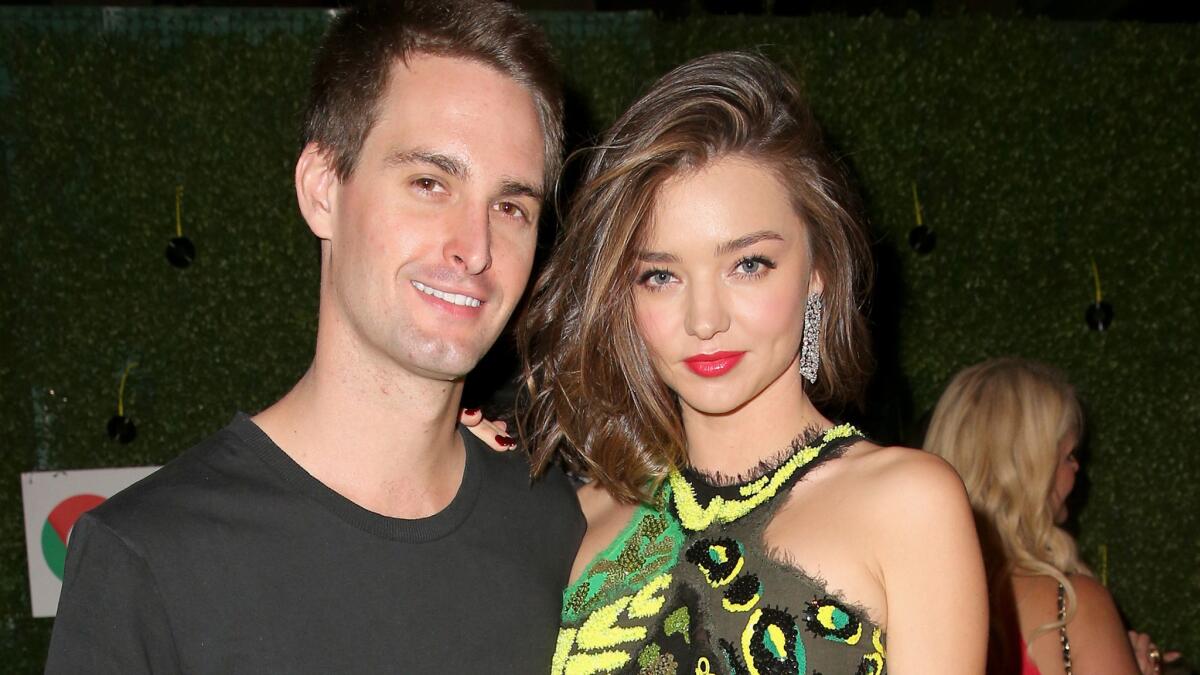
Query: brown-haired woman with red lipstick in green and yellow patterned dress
701, 304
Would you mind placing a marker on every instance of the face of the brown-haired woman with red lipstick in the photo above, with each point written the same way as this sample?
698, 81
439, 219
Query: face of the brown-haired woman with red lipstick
722, 285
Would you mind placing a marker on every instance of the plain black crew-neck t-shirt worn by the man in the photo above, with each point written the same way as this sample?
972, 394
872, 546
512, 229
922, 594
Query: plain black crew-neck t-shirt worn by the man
233, 559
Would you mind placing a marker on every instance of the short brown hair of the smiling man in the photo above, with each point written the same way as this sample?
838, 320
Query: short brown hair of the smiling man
364, 43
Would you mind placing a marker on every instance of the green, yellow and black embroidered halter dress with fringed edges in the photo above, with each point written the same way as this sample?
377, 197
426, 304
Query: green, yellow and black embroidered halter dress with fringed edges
688, 588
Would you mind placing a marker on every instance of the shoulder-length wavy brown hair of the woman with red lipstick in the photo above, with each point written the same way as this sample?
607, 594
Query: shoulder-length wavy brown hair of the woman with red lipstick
590, 389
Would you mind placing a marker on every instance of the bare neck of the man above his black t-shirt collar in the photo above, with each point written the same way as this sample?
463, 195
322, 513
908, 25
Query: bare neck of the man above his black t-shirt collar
386, 440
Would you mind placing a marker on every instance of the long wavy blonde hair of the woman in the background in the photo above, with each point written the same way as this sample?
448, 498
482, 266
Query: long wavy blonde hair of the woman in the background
1000, 425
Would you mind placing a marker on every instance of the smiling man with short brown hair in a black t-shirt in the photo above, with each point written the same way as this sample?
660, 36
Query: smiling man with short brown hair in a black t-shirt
351, 528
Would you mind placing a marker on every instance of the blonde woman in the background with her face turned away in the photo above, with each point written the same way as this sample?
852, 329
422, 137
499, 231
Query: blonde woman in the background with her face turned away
1011, 428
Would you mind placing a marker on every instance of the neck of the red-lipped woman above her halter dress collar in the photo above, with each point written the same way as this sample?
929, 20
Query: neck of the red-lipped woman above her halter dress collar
736, 443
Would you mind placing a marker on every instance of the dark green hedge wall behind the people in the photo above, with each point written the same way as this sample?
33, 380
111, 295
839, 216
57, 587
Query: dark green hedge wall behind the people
1036, 150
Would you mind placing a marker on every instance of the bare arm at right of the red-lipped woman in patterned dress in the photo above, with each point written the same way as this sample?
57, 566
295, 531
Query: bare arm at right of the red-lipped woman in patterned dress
933, 570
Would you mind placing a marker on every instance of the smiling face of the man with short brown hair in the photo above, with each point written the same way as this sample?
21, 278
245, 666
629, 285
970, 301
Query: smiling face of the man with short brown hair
431, 240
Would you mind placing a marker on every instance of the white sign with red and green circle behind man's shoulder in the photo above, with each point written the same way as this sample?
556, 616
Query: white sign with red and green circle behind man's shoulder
55, 500
